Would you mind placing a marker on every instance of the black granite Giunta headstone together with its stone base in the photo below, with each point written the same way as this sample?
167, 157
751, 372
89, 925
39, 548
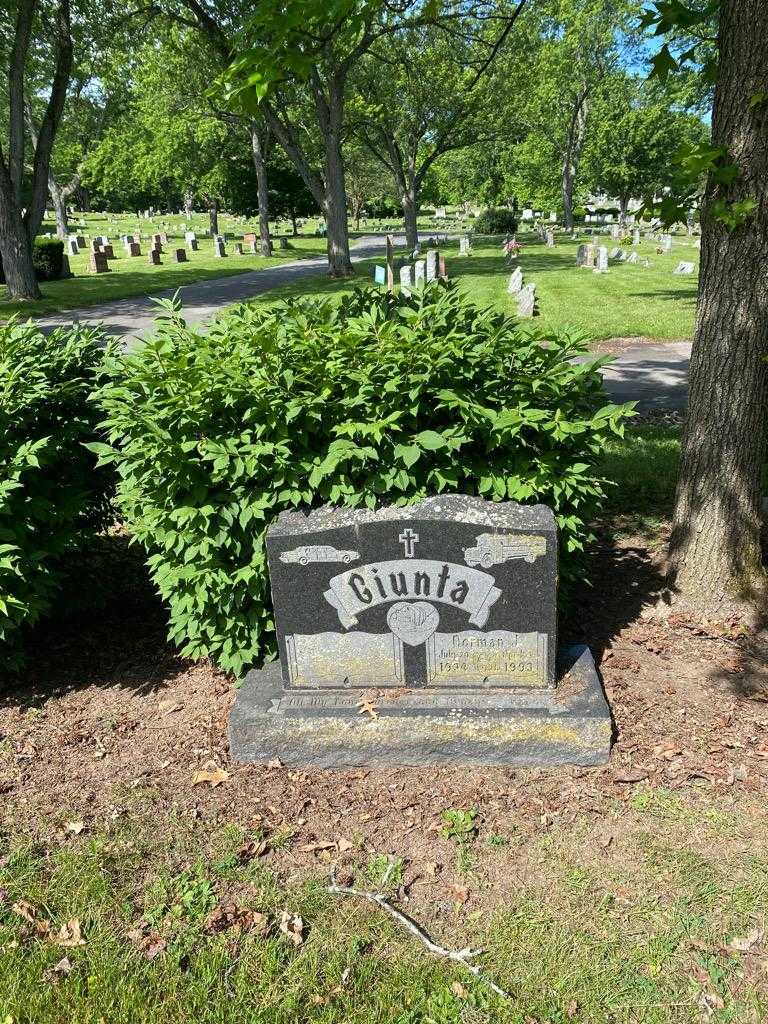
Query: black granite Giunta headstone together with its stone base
424, 635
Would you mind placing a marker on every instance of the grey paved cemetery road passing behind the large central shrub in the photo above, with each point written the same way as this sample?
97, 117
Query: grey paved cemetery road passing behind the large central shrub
656, 376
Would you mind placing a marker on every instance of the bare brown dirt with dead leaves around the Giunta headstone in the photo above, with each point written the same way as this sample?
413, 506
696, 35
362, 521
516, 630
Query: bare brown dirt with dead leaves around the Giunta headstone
109, 720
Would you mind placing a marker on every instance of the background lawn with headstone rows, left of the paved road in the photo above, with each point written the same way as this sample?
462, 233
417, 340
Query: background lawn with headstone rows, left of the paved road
134, 276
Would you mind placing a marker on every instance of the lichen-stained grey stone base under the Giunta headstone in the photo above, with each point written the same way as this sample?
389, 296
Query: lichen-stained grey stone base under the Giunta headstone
571, 724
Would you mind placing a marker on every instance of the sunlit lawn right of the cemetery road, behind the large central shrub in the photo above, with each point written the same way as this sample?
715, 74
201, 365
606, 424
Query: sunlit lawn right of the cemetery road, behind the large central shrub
629, 302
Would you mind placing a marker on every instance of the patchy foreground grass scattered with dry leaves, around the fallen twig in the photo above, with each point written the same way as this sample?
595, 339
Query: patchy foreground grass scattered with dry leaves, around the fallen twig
647, 916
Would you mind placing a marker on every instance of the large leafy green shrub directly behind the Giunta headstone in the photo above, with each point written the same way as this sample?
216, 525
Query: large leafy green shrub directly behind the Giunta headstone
376, 400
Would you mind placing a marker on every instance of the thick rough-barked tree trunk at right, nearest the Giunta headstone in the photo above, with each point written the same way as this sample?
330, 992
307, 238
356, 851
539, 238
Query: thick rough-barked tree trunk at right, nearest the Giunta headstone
715, 552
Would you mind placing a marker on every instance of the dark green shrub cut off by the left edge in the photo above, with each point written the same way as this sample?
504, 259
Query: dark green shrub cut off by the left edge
52, 496
